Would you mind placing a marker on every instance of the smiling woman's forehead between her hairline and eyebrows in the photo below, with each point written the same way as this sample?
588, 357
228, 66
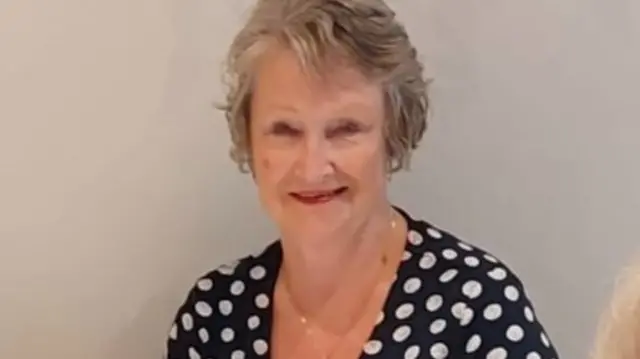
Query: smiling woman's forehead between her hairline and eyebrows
281, 80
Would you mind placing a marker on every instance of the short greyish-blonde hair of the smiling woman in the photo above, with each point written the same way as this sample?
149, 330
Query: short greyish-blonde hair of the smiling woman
363, 32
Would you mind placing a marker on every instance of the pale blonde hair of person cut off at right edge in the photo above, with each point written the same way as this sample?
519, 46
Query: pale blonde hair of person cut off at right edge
618, 335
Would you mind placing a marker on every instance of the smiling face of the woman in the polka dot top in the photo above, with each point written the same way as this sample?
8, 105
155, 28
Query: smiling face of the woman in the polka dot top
318, 148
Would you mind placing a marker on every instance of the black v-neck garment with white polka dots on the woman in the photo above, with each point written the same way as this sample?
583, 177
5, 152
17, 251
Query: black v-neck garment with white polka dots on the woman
449, 300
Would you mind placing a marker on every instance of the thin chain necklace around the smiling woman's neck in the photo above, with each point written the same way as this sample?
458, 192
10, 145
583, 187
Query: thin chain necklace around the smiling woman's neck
308, 324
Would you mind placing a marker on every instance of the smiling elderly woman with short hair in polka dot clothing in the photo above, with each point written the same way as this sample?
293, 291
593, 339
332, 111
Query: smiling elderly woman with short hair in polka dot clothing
327, 100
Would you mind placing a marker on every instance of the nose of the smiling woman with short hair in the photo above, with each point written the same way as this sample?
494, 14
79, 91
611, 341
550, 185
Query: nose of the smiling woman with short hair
314, 164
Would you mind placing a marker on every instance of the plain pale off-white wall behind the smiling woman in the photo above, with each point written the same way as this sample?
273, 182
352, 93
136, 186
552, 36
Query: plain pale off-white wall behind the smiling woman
116, 190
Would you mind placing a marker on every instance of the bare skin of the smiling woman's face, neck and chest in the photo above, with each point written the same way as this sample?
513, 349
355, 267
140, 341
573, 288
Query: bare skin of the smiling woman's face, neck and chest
319, 162
